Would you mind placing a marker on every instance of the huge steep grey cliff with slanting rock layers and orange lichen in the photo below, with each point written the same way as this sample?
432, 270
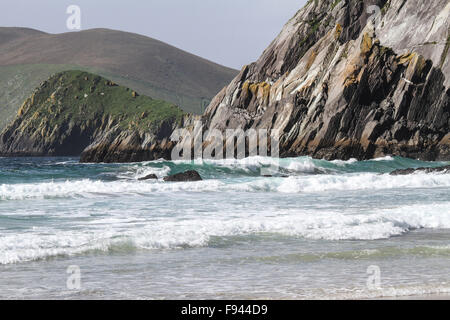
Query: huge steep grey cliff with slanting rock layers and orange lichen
339, 82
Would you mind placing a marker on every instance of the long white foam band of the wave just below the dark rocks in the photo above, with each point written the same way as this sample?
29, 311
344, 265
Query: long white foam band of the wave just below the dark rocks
300, 184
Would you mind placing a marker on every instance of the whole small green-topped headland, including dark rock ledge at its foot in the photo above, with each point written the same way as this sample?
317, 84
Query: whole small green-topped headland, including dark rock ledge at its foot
75, 110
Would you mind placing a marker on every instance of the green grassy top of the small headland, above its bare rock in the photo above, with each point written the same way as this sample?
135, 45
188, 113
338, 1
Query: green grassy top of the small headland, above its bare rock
76, 98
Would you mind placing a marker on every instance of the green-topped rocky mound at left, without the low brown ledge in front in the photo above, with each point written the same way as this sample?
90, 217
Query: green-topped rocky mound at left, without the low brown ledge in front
68, 111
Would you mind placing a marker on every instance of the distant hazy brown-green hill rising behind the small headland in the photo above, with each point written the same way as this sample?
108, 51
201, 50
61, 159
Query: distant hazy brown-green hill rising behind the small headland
28, 57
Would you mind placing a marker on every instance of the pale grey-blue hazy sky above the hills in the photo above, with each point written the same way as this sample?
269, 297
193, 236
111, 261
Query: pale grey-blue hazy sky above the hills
229, 32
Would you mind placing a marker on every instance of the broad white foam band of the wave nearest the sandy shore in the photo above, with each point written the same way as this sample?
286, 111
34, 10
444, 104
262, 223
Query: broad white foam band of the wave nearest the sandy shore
116, 231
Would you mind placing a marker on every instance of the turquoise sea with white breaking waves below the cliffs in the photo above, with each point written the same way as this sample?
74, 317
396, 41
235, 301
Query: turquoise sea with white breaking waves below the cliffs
234, 235
